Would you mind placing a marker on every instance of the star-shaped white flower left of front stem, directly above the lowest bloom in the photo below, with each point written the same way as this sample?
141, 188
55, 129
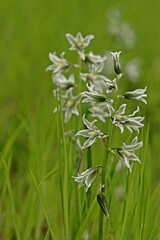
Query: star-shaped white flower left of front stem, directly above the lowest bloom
92, 133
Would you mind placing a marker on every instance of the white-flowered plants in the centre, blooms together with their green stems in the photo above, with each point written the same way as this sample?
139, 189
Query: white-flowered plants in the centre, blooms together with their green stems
96, 104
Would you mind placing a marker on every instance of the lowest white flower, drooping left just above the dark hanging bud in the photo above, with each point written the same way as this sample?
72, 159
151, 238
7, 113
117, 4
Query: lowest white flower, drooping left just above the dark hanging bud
87, 177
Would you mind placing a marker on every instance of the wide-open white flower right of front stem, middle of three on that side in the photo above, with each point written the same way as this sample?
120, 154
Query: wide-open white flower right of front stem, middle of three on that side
129, 121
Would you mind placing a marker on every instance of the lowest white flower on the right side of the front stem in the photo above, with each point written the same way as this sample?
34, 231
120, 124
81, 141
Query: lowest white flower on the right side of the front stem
126, 152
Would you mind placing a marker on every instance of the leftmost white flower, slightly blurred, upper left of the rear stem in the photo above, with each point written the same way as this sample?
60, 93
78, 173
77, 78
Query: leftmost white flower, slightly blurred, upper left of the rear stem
58, 63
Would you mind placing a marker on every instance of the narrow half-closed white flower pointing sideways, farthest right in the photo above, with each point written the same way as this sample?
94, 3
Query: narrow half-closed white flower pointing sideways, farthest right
138, 94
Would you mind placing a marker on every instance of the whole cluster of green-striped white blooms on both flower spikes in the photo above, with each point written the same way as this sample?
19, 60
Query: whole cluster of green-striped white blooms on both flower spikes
88, 85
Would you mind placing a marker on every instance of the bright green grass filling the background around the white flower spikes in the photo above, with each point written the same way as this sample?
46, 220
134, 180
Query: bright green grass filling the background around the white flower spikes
30, 194
